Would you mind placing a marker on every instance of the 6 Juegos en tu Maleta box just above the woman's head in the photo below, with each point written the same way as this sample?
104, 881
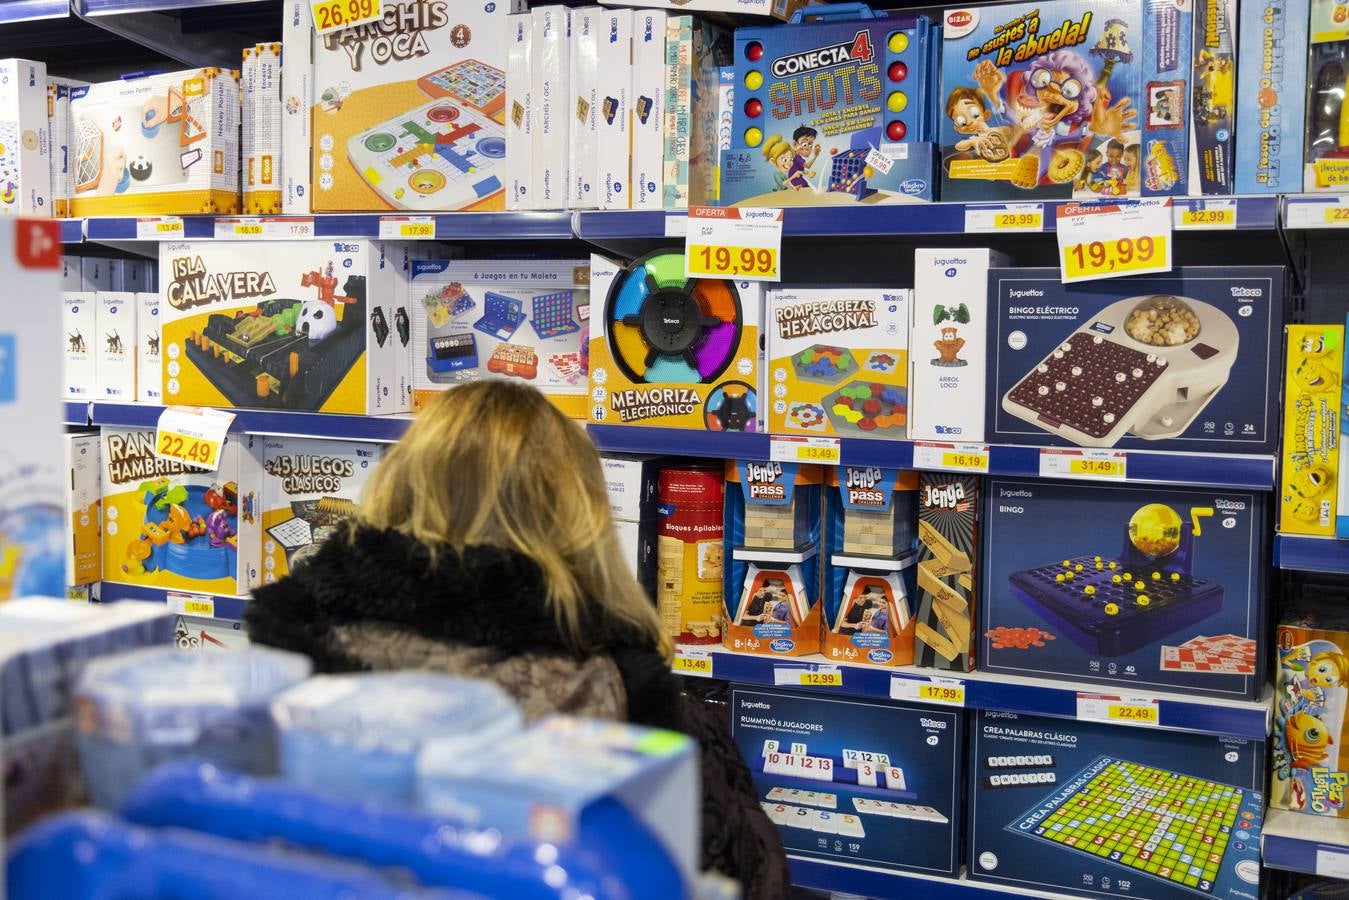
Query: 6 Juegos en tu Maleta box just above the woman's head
501, 319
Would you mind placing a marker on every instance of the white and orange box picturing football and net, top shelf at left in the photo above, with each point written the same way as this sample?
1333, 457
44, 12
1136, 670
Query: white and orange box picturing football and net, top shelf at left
157, 145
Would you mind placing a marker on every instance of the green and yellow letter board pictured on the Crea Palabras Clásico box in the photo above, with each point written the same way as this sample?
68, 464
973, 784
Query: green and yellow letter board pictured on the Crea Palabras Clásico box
1170, 826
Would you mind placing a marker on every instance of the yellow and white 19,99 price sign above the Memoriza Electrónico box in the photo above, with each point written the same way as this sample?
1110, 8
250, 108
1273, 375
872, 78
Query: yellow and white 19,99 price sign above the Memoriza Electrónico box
741, 244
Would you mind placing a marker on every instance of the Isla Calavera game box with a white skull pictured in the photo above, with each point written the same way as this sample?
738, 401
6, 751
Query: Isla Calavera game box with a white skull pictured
280, 326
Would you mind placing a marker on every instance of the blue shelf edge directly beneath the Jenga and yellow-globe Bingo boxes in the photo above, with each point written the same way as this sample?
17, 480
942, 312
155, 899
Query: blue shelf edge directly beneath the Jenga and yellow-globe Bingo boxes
981, 692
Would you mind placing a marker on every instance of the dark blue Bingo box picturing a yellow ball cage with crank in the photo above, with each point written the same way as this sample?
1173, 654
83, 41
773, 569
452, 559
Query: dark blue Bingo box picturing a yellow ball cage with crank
1159, 589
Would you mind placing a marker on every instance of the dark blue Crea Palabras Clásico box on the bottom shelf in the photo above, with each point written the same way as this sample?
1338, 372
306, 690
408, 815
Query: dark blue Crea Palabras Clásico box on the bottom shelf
1112, 812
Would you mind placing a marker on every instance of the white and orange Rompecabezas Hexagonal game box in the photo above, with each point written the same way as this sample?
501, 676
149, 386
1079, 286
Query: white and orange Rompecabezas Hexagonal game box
840, 361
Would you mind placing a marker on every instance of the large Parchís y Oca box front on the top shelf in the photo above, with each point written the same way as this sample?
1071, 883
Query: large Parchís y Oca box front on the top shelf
409, 111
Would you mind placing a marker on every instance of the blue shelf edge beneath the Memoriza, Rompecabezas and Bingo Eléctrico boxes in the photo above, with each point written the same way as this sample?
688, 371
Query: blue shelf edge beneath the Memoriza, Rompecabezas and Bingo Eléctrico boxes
1145, 468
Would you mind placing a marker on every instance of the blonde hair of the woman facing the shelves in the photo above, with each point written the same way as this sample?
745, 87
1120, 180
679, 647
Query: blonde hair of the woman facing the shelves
496, 463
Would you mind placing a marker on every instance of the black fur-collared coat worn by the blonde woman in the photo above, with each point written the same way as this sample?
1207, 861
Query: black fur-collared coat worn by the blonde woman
380, 602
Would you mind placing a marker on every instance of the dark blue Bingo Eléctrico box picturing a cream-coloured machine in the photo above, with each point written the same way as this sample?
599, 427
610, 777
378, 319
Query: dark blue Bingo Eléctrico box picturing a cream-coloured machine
1185, 361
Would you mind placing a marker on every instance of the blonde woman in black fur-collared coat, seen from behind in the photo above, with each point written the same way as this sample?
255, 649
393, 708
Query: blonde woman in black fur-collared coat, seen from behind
485, 547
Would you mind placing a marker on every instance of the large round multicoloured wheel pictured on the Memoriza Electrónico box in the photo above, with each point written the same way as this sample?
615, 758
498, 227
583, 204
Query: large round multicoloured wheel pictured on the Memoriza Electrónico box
664, 327
